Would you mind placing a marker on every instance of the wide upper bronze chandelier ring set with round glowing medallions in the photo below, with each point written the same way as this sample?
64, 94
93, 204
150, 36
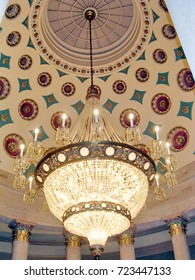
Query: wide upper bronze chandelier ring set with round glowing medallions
91, 150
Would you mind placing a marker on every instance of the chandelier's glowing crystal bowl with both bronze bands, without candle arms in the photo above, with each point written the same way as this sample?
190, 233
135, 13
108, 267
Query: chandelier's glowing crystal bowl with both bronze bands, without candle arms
95, 188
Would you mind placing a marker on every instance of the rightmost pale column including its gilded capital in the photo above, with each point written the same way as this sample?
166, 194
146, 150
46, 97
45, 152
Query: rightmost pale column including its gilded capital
177, 229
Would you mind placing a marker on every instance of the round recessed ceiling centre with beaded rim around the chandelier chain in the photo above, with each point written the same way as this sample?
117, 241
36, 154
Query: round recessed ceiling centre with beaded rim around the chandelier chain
125, 46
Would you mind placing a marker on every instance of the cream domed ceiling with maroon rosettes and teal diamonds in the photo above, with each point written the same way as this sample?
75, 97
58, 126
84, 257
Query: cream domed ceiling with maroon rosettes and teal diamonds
139, 65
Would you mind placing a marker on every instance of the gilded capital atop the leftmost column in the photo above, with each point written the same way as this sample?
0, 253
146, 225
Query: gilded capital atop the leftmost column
20, 231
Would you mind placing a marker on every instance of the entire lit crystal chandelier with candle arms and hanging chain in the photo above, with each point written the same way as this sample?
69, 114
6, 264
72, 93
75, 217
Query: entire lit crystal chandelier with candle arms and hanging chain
97, 179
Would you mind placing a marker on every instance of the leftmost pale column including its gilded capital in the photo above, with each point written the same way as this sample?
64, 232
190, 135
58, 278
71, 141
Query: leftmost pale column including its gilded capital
21, 234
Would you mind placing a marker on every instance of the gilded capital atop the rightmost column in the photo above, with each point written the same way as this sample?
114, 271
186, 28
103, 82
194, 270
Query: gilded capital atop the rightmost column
177, 225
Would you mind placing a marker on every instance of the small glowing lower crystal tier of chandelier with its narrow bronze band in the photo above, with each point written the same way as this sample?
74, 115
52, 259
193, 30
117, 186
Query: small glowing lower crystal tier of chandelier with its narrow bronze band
97, 221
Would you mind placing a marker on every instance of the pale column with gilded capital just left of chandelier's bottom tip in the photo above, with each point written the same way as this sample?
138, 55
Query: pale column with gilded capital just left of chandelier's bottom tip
73, 247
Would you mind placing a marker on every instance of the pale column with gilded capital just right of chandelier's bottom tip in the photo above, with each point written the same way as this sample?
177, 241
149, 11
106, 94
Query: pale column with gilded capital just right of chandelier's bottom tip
126, 245
